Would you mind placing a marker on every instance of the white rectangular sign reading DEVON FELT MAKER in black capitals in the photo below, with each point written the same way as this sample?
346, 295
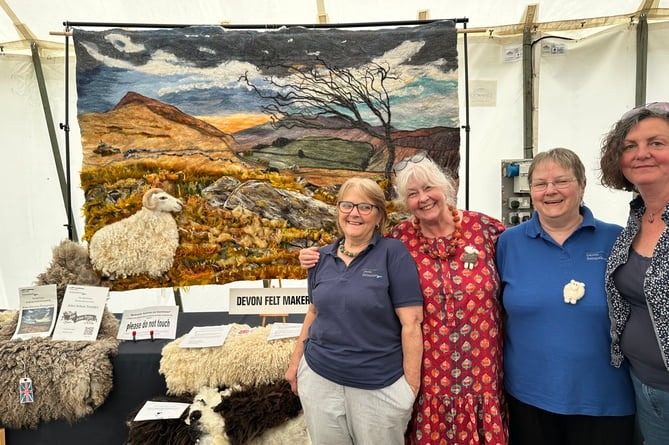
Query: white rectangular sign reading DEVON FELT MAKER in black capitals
281, 300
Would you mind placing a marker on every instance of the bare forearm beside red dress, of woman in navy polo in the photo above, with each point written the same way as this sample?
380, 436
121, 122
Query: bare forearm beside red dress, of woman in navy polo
411, 318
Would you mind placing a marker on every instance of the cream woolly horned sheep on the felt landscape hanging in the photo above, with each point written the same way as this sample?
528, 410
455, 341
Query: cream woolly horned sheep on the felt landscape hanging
143, 243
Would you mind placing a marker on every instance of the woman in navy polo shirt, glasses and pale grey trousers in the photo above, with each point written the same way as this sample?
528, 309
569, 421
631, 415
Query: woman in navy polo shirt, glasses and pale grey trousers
356, 365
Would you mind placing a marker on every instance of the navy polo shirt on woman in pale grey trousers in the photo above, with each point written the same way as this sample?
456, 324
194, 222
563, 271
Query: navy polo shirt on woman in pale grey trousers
355, 339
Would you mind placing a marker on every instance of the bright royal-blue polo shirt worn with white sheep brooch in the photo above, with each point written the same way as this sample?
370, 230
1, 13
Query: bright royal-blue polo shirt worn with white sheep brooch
556, 354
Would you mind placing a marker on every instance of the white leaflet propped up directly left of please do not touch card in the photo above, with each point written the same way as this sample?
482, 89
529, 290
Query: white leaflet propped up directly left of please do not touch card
81, 313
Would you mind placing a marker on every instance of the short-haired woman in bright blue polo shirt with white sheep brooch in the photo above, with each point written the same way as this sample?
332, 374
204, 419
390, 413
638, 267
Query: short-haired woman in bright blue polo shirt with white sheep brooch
562, 388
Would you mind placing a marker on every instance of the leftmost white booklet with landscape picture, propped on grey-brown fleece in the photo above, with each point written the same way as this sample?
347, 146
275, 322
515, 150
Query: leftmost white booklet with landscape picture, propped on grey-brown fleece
37, 312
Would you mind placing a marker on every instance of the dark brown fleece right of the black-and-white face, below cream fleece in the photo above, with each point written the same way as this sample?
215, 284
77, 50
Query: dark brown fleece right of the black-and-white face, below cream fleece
250, 411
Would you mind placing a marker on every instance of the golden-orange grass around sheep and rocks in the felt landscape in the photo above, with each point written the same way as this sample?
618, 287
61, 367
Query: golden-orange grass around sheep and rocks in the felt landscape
216, 245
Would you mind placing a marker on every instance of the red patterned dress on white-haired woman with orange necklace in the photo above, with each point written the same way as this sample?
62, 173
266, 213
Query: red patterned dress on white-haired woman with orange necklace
461, 399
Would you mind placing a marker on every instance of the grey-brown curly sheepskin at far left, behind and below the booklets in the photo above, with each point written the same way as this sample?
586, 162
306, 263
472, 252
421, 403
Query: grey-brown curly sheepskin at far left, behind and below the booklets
70, 378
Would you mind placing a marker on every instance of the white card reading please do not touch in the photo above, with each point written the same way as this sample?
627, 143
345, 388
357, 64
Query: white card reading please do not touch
149, 322
